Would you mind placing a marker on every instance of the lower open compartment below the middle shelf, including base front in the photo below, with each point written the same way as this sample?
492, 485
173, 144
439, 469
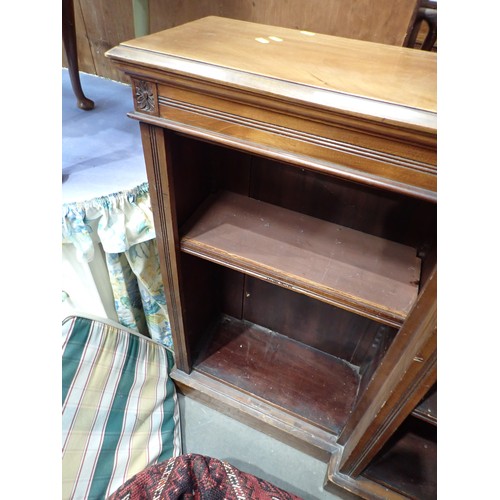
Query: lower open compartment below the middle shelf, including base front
303, 359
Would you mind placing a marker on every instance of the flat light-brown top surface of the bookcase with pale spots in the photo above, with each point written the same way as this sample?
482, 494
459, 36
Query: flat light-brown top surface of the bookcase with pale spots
373, 71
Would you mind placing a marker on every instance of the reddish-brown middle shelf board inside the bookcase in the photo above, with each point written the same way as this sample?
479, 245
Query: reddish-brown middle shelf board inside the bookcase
354, 270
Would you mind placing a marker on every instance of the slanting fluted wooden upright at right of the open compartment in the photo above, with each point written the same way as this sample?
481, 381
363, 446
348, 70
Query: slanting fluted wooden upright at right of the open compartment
406, 373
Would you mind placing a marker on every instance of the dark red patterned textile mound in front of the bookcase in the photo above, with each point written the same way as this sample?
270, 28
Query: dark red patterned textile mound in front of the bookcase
196, 477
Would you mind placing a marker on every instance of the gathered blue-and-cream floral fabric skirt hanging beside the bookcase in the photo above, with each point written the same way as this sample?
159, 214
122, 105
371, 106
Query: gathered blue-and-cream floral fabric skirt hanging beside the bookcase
126, 232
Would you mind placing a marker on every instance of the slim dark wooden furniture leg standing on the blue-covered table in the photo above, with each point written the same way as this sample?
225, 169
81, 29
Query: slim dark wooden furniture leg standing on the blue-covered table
69, 41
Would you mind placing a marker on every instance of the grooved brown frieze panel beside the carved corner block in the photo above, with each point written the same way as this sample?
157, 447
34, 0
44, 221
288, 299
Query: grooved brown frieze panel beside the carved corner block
176, 103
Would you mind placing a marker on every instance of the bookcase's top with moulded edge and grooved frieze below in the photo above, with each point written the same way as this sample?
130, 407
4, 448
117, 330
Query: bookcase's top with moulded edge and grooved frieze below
326, 106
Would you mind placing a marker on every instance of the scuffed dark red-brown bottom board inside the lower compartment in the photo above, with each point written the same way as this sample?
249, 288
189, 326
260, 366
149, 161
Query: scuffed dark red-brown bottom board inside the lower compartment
309, 384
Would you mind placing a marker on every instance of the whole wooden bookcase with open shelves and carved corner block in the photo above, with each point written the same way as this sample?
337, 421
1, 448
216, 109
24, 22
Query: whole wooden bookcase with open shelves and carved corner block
293, 183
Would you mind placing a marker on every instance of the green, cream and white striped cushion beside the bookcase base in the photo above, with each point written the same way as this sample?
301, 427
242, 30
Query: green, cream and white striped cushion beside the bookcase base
119, 407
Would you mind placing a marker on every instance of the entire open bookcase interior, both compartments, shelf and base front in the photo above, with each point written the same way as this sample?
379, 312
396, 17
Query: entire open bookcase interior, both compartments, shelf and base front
315, 270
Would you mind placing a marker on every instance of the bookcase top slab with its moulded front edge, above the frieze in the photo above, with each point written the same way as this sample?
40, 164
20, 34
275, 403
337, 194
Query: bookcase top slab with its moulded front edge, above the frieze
399, 90
